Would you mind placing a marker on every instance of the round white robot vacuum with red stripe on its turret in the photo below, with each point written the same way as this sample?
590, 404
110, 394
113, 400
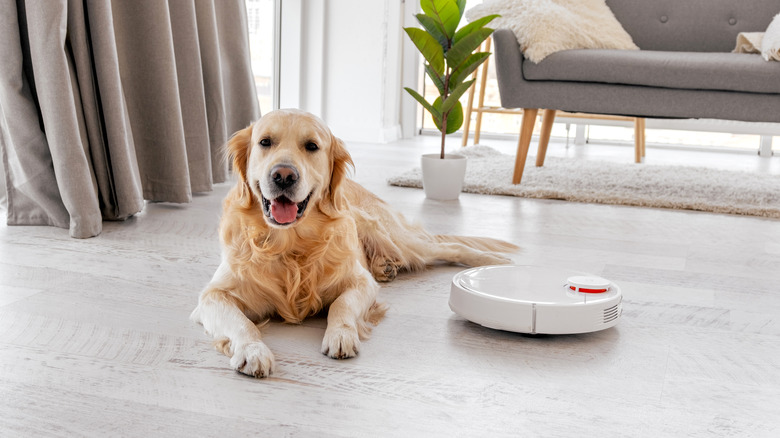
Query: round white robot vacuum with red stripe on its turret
535, 299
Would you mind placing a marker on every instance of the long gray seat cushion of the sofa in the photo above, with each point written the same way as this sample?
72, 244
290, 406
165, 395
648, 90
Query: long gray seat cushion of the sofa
681, 70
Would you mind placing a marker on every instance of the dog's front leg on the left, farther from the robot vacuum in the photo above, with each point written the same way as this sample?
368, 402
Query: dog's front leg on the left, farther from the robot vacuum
223, 318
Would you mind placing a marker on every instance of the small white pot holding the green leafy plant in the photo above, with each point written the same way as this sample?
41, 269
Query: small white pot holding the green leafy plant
443, 179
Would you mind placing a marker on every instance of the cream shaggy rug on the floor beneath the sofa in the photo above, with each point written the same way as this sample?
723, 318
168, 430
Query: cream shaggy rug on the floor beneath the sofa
681, 187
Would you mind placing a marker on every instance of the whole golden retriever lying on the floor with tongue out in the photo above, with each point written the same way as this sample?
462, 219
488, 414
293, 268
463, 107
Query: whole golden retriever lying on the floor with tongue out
298, 237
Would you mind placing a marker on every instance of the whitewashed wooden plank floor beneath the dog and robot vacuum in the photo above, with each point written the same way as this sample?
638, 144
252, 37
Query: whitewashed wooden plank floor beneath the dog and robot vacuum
95, 340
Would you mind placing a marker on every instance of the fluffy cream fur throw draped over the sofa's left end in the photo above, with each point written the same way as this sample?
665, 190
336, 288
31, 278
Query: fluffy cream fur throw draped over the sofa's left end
544, 27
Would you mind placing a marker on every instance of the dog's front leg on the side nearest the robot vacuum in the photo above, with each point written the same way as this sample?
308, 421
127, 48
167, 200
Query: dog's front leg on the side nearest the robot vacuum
347, 313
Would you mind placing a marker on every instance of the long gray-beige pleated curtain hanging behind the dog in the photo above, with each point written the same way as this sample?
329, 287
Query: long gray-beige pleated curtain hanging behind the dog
105, 104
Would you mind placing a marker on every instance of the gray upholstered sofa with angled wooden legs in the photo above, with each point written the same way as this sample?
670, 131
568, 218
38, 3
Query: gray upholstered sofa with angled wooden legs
683, 70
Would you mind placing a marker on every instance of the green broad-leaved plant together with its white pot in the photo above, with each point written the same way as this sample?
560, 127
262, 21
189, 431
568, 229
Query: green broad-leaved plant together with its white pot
449, 60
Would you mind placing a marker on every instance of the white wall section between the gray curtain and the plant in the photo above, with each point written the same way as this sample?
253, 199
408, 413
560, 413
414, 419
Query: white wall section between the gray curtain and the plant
341, 60
